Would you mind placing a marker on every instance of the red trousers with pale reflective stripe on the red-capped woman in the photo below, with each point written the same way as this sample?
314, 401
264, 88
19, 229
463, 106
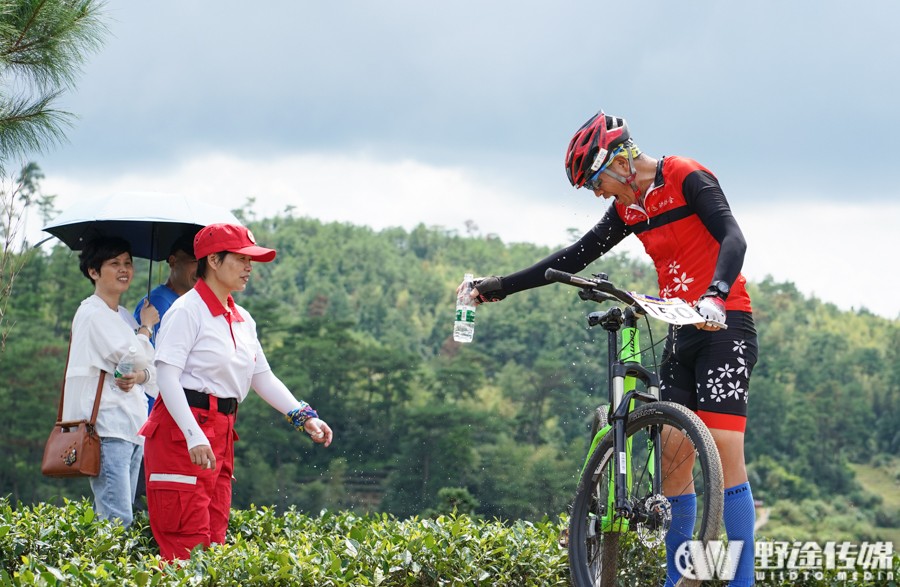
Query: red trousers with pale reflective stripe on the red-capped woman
188, 505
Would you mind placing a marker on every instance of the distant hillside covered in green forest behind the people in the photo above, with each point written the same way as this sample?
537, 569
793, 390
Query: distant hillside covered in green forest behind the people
358, 323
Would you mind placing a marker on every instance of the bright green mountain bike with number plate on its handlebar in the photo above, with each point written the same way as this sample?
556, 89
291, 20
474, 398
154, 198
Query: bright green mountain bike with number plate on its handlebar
642, 450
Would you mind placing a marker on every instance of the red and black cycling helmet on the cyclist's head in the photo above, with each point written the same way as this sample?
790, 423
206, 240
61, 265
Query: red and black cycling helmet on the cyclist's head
593, 145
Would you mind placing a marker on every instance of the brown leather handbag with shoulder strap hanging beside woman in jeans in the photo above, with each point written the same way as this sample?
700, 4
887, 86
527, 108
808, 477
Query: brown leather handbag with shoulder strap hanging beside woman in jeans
73, 448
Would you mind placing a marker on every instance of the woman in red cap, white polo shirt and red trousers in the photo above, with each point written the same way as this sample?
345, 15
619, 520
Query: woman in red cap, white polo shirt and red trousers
208, 357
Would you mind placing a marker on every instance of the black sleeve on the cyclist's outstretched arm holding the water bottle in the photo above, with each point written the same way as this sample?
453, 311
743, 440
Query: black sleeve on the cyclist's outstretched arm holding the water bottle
599, 240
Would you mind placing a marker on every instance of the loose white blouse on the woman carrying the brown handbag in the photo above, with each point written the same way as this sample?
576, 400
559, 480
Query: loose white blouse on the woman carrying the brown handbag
100, 338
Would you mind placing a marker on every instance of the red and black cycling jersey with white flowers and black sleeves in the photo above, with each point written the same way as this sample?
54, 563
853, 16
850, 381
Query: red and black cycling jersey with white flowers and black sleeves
685, 225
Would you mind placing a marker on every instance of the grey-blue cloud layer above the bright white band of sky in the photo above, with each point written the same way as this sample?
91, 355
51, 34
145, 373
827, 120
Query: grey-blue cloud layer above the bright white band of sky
799, 93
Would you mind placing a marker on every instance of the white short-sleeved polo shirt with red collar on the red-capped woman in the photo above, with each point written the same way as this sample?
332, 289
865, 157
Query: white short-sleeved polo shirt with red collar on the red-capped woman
217, 349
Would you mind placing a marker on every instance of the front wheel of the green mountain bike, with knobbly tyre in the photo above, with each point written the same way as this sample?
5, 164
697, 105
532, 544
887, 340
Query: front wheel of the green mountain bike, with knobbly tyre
672, 453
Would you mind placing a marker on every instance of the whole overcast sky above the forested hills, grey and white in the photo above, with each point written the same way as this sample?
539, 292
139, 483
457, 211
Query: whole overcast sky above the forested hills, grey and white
394, 113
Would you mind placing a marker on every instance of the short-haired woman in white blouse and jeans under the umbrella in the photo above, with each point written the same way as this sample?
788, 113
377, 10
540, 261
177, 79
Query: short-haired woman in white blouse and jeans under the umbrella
103, 333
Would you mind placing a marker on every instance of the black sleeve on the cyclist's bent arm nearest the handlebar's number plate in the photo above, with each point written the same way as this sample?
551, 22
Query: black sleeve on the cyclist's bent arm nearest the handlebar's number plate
705, 197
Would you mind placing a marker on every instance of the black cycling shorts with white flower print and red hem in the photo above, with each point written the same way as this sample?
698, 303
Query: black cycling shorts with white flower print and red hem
709, 372
